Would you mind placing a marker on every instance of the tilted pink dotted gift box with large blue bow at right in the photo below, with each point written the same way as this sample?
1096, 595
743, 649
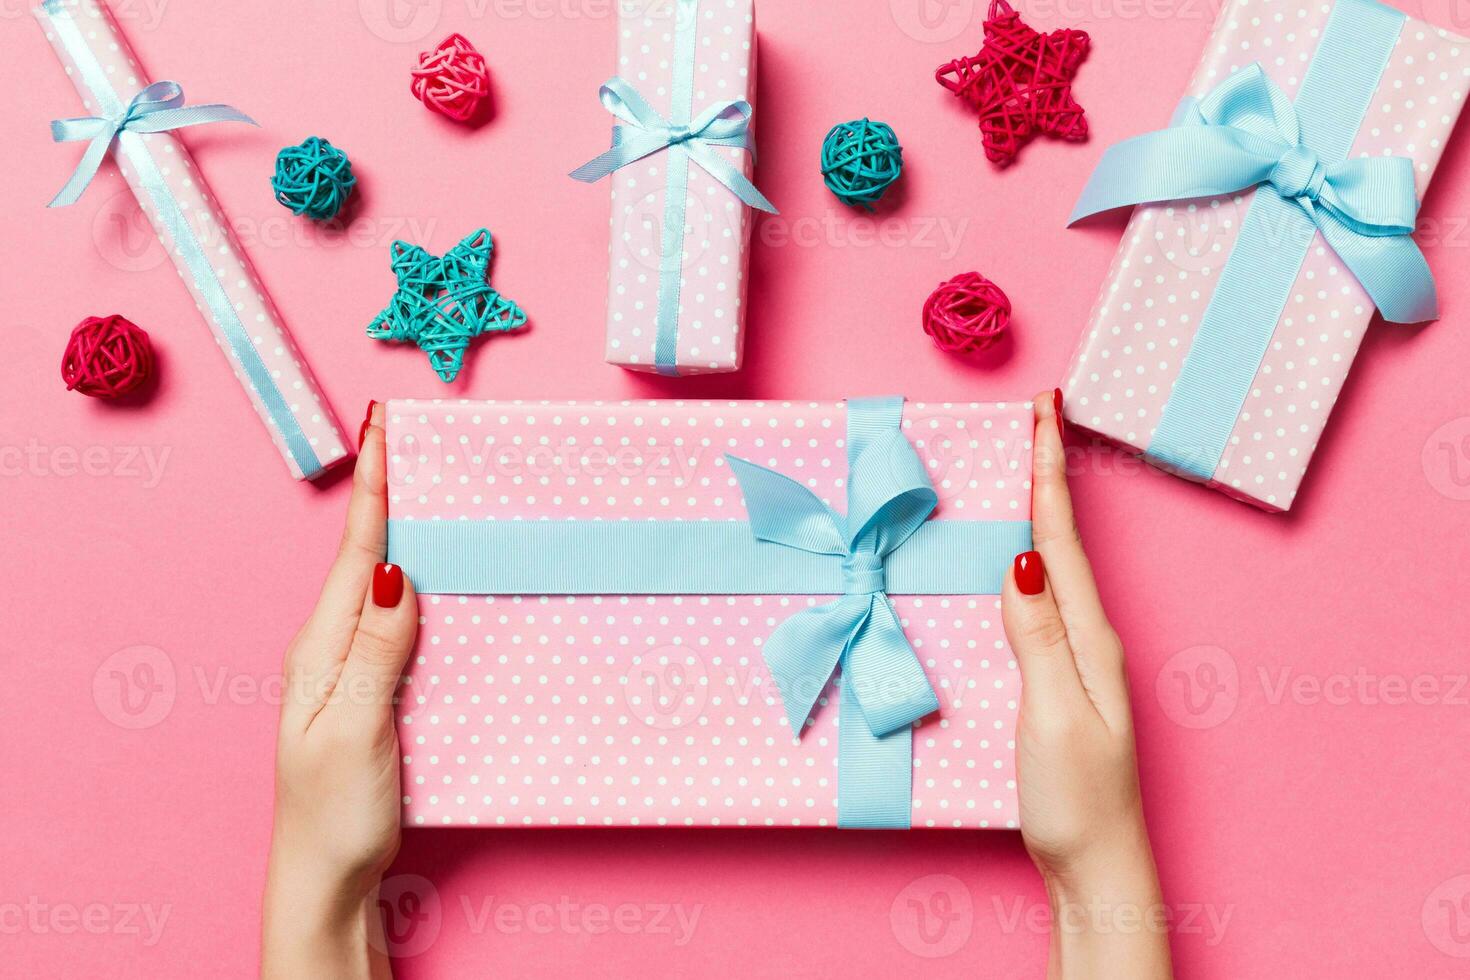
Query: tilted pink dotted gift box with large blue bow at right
1228, 323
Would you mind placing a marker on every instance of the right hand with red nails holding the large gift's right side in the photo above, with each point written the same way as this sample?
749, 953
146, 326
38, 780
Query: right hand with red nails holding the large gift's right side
1081, 813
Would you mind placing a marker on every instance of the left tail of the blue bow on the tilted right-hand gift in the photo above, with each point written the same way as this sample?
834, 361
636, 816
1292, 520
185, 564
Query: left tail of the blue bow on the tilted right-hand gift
1177, 164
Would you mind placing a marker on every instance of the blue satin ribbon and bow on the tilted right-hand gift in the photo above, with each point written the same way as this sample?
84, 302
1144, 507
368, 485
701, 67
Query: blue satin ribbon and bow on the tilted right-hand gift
1246, 133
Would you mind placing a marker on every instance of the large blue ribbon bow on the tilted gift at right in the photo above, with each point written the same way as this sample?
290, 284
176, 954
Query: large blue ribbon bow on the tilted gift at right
1246, 133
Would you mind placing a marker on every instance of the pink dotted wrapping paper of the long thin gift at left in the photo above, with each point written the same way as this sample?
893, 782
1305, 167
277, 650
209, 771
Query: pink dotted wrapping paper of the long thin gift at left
252, 336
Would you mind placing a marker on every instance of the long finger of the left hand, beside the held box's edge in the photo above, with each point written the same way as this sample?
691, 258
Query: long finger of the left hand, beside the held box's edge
323, 644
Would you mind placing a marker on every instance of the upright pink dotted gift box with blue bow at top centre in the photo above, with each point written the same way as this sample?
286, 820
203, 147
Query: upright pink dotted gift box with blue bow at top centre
681, 164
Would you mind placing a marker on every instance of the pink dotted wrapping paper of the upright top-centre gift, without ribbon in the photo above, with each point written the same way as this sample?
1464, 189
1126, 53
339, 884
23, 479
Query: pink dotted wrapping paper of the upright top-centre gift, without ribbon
712, 281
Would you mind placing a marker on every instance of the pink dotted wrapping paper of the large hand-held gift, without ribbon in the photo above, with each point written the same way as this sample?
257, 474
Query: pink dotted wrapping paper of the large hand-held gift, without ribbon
625, 710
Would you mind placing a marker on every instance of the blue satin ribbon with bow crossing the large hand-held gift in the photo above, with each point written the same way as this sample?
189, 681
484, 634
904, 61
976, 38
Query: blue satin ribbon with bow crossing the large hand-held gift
792, 546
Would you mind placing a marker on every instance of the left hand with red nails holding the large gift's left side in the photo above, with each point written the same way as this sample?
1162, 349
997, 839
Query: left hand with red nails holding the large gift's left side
337, 799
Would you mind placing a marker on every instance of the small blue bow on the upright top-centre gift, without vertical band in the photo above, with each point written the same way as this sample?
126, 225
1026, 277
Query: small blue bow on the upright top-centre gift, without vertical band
724, 124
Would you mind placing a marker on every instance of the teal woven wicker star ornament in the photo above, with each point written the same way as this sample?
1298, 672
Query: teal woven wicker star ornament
445, 303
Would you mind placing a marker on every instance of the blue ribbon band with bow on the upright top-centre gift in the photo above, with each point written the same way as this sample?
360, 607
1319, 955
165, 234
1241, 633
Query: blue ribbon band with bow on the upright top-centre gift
686, 137
